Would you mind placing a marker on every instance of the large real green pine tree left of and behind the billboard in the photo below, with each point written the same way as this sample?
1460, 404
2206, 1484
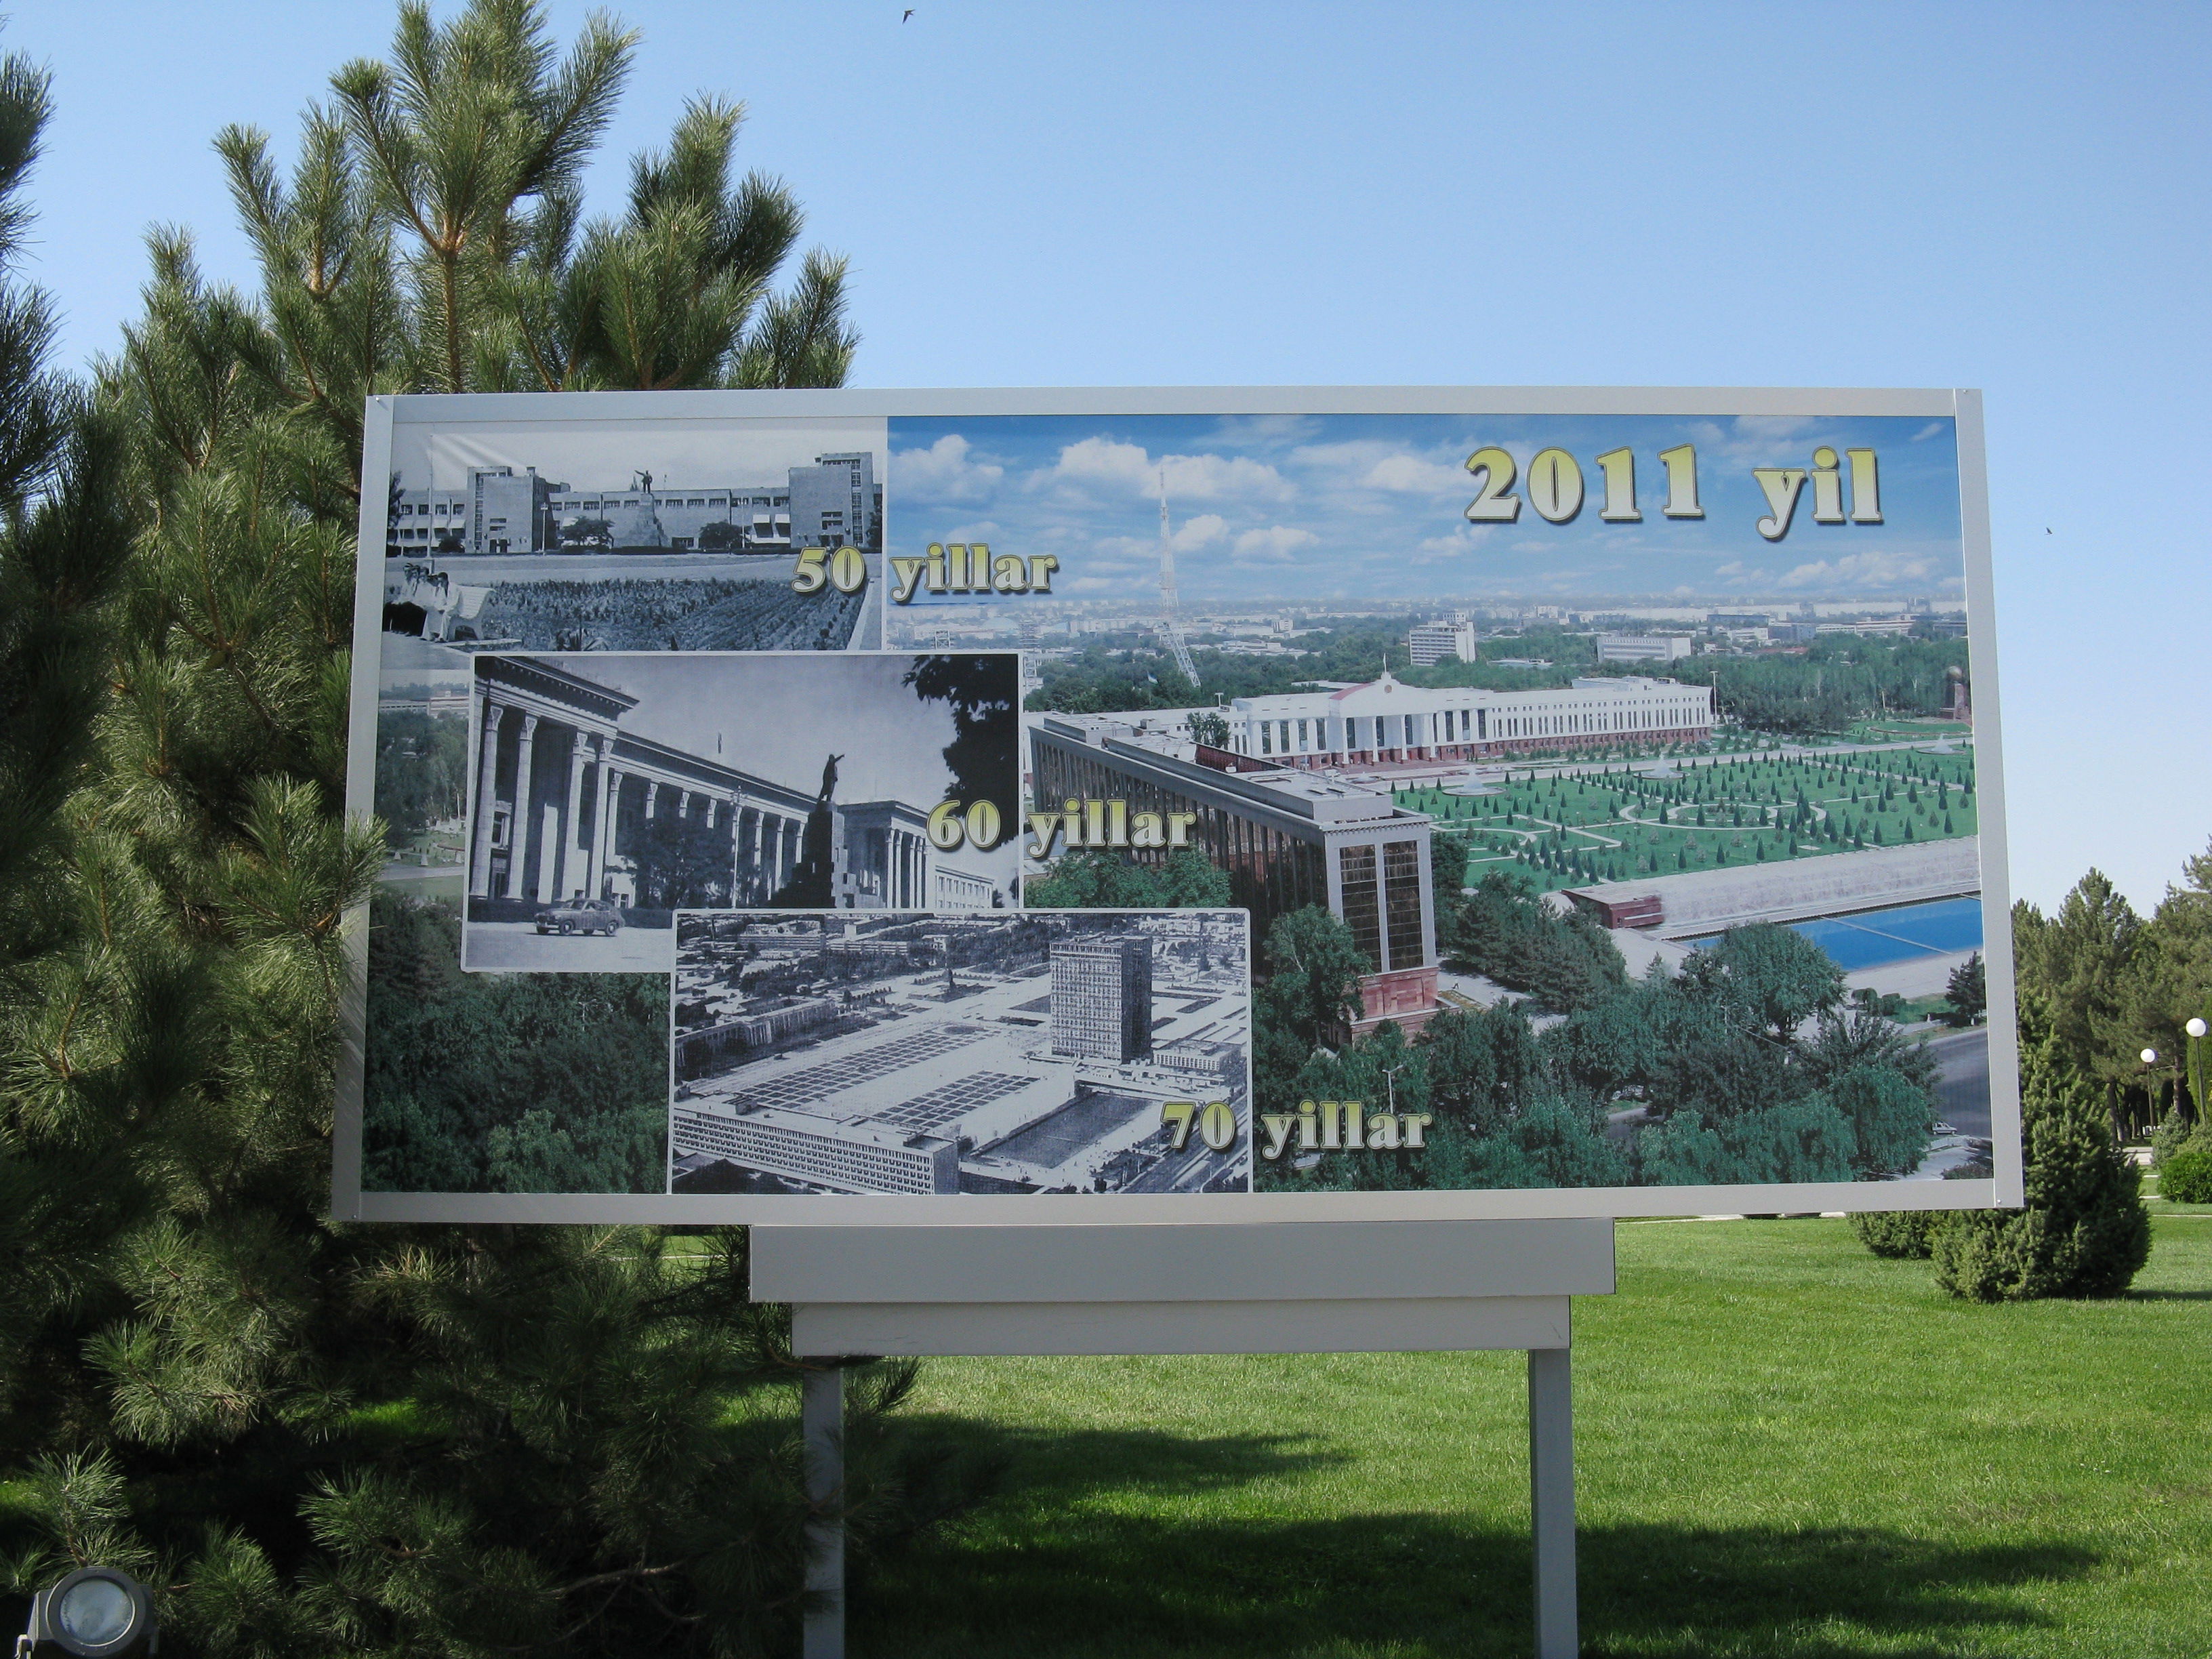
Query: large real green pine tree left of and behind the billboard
331, 1437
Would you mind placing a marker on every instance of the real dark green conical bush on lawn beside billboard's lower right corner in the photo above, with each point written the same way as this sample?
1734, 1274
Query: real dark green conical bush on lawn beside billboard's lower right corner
2083, 1231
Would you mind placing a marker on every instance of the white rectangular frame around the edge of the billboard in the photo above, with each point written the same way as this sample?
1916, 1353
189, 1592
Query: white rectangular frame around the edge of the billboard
1963, 406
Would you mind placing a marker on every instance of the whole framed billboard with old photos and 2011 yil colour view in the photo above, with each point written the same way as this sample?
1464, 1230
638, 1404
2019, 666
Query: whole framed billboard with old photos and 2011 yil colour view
1273, 804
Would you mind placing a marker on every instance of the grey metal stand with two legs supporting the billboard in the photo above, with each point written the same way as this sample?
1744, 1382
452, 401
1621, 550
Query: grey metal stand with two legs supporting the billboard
1286, 1288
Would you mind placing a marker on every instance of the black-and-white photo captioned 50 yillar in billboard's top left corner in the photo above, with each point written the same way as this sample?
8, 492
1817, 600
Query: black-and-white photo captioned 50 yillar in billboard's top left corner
601, 536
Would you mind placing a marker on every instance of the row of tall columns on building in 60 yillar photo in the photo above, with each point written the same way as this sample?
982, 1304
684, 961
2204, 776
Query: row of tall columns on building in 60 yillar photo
576, 848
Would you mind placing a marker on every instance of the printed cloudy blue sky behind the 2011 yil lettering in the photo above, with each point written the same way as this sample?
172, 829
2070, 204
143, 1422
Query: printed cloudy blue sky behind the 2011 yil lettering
1375, 508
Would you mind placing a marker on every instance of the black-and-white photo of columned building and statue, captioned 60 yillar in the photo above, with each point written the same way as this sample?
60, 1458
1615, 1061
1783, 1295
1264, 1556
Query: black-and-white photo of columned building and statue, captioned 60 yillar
612, 791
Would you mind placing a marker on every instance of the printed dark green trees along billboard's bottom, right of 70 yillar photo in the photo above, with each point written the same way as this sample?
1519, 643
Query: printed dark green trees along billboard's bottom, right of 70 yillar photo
1704, 1078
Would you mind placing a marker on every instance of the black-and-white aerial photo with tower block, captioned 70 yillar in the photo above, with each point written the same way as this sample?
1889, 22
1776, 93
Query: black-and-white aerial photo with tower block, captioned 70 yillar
963, 1054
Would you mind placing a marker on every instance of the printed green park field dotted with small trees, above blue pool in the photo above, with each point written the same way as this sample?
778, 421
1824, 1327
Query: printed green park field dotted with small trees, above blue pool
1623, 824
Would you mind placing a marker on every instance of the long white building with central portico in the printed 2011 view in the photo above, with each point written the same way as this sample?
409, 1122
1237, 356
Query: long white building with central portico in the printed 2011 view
1388, 720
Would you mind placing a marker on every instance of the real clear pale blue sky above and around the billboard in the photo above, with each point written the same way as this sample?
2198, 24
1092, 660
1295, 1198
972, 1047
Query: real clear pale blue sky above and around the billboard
1145, 194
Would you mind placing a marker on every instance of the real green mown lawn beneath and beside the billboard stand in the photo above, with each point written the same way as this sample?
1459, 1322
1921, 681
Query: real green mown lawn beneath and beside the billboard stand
1786, 1448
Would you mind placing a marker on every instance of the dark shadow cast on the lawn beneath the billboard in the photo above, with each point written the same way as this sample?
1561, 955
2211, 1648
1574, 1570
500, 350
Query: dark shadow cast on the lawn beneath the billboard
1056, 1567
